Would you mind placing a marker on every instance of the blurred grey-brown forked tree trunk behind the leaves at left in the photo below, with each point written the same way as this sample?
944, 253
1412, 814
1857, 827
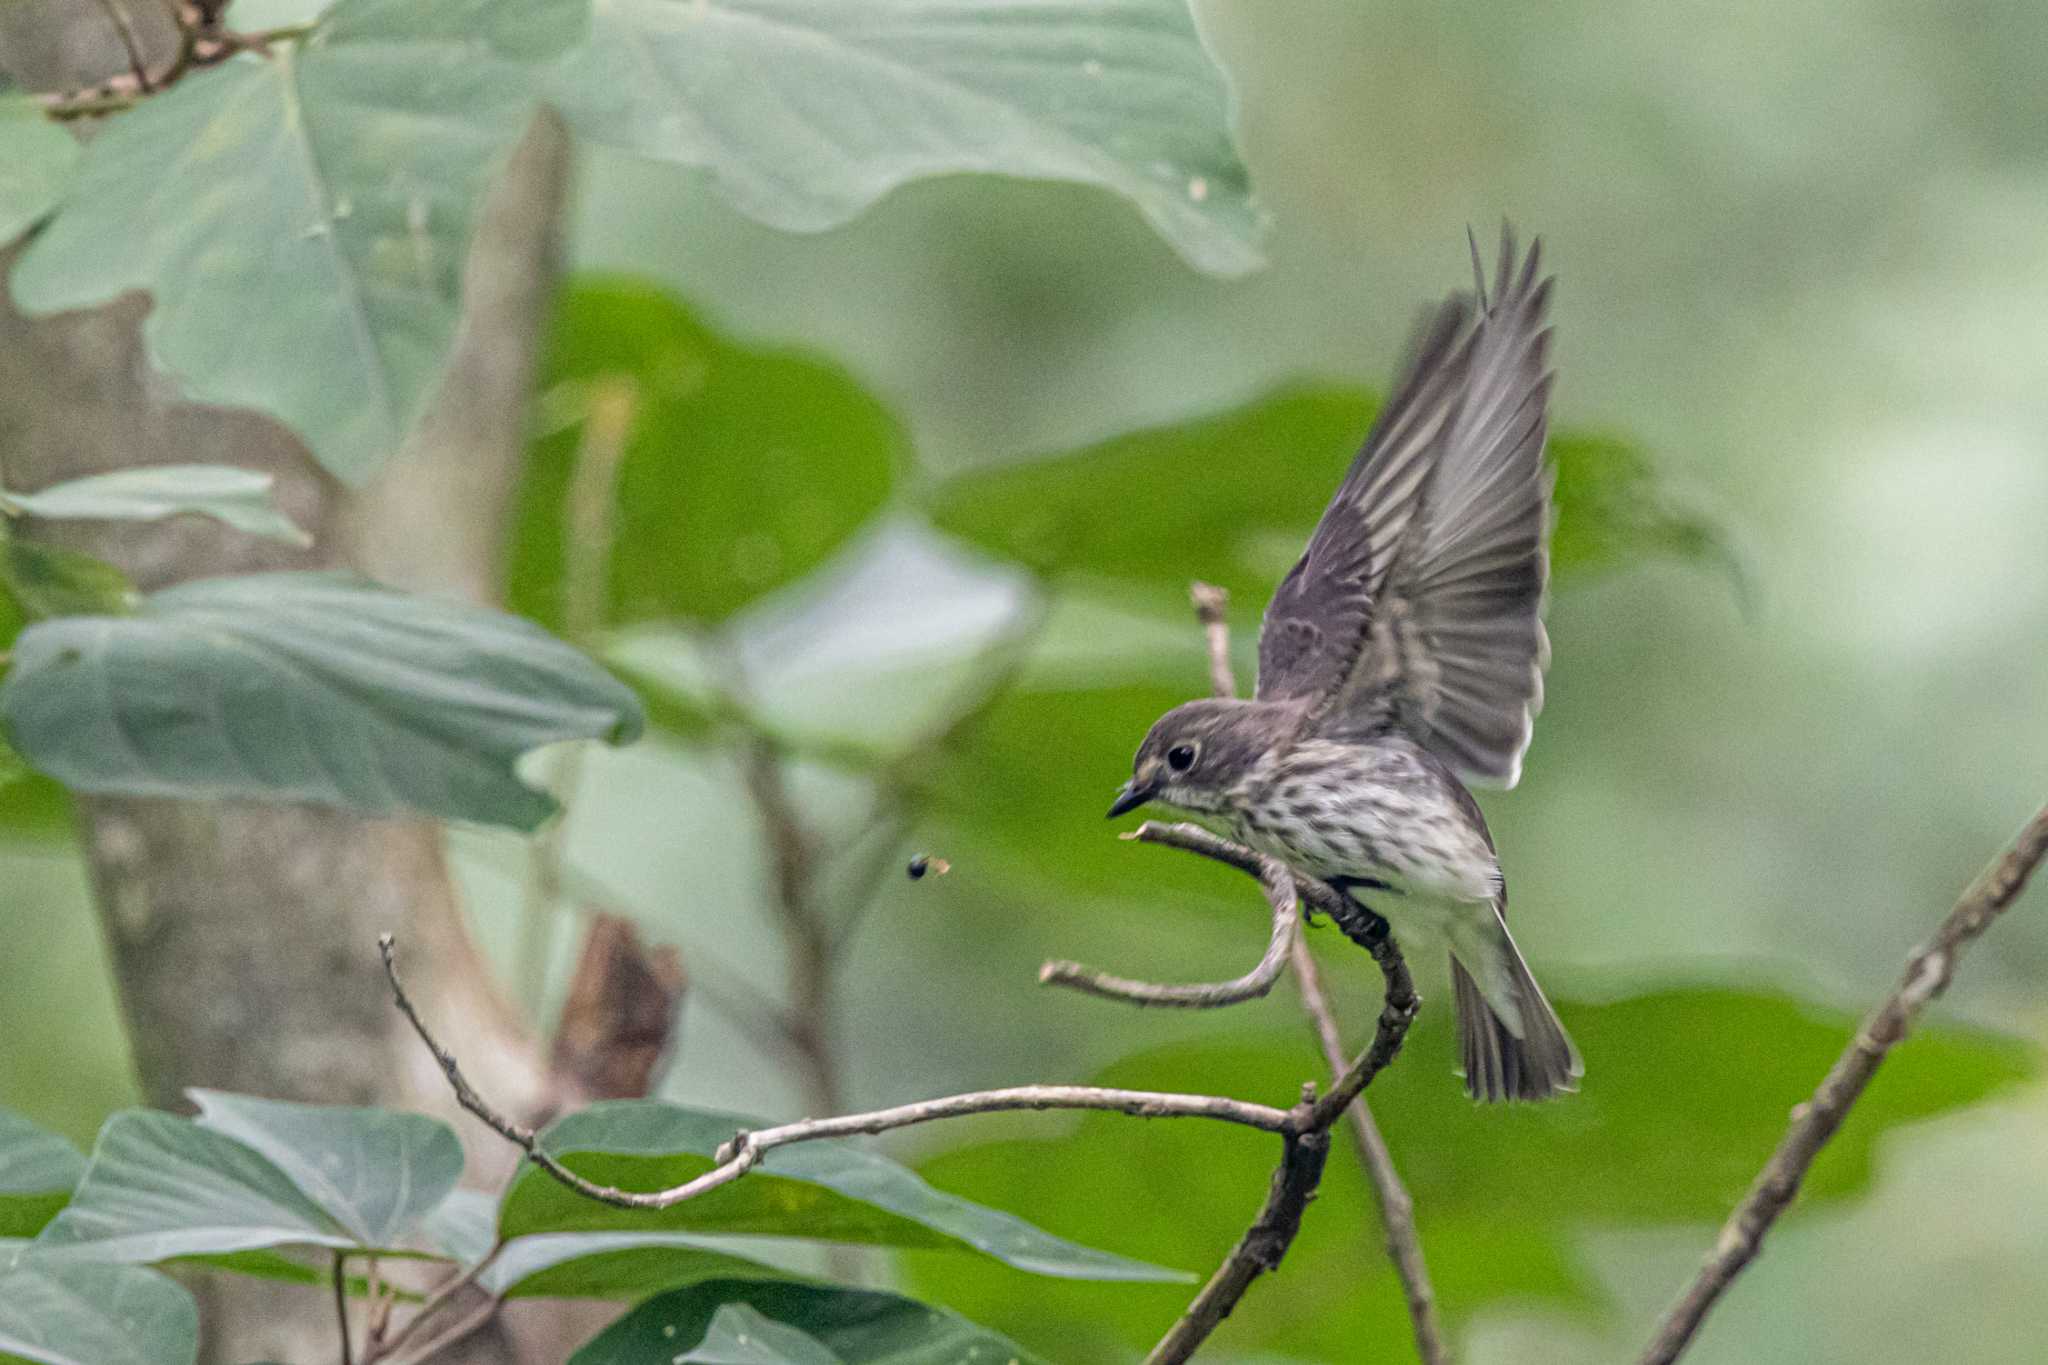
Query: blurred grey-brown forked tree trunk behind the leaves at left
245, 936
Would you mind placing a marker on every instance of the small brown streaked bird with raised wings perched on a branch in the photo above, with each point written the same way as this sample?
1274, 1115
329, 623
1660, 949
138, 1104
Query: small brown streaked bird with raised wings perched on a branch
1400, 660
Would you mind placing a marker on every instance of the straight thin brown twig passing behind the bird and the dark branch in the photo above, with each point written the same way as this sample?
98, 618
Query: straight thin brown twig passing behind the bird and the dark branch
1398, 1208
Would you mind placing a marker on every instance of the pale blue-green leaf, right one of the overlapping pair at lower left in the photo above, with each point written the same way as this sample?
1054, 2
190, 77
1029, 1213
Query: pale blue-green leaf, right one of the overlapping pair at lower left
376, 1172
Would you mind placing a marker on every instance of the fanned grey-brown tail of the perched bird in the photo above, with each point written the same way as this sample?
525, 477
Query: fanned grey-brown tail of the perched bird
1519, 1051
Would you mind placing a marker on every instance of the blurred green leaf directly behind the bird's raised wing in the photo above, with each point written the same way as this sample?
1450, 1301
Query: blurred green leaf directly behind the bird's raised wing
1232, 500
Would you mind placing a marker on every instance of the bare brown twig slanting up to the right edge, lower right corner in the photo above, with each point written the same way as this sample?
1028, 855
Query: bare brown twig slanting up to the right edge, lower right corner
1814, 1122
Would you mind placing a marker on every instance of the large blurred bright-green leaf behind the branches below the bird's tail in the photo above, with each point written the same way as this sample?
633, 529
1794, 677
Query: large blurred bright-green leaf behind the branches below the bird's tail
1684, 1096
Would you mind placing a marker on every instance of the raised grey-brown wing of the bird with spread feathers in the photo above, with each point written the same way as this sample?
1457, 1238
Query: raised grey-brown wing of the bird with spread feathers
1420, 597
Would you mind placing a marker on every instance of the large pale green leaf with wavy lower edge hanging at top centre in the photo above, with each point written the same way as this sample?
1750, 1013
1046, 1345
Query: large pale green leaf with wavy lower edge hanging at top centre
808, 112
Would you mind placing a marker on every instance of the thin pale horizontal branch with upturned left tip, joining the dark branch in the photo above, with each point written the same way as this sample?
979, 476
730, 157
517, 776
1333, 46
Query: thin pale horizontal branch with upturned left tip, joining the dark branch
746, 1149
